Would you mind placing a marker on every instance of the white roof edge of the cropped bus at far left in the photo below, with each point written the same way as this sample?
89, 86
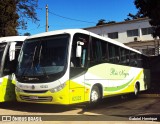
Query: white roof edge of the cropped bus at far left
12, 38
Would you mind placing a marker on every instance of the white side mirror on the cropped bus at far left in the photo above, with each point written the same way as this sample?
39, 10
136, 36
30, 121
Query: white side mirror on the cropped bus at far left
12, 51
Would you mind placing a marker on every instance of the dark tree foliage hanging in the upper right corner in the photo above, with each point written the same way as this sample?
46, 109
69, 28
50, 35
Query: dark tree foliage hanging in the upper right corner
150, 8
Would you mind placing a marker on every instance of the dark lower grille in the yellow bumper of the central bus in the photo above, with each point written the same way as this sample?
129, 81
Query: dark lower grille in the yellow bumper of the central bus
37, 98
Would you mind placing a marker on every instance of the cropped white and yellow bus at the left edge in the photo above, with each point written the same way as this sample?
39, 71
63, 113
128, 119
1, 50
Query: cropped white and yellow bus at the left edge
9, 51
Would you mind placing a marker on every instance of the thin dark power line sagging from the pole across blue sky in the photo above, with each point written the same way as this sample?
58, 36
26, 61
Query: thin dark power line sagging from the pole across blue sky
70, 18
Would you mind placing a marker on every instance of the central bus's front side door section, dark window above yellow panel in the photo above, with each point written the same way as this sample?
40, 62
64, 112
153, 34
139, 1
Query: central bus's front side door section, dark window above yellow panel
78, 67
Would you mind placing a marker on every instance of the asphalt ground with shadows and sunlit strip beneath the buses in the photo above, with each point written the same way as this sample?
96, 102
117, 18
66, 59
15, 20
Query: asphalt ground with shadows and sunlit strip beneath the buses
111, 109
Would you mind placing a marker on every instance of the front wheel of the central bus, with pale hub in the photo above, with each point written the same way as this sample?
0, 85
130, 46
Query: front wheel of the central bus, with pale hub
95, 95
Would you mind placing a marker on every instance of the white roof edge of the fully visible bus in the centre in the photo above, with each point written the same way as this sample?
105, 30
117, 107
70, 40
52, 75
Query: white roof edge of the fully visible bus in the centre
73, 31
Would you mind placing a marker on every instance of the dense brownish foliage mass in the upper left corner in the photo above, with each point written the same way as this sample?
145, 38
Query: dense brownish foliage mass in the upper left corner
8, 18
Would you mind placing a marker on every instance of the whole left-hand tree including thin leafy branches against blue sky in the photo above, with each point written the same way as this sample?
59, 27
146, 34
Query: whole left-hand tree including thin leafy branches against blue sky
14, 15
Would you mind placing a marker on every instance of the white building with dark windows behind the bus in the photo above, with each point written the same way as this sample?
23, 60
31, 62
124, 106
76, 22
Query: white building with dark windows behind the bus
133, 33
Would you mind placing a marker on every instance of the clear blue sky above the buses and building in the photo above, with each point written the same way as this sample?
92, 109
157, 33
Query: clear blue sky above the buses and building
67, 14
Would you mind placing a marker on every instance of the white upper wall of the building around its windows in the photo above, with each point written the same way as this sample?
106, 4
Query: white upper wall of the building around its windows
122, 28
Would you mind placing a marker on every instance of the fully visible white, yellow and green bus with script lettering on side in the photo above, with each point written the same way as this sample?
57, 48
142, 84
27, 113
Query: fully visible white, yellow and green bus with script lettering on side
73, 66
